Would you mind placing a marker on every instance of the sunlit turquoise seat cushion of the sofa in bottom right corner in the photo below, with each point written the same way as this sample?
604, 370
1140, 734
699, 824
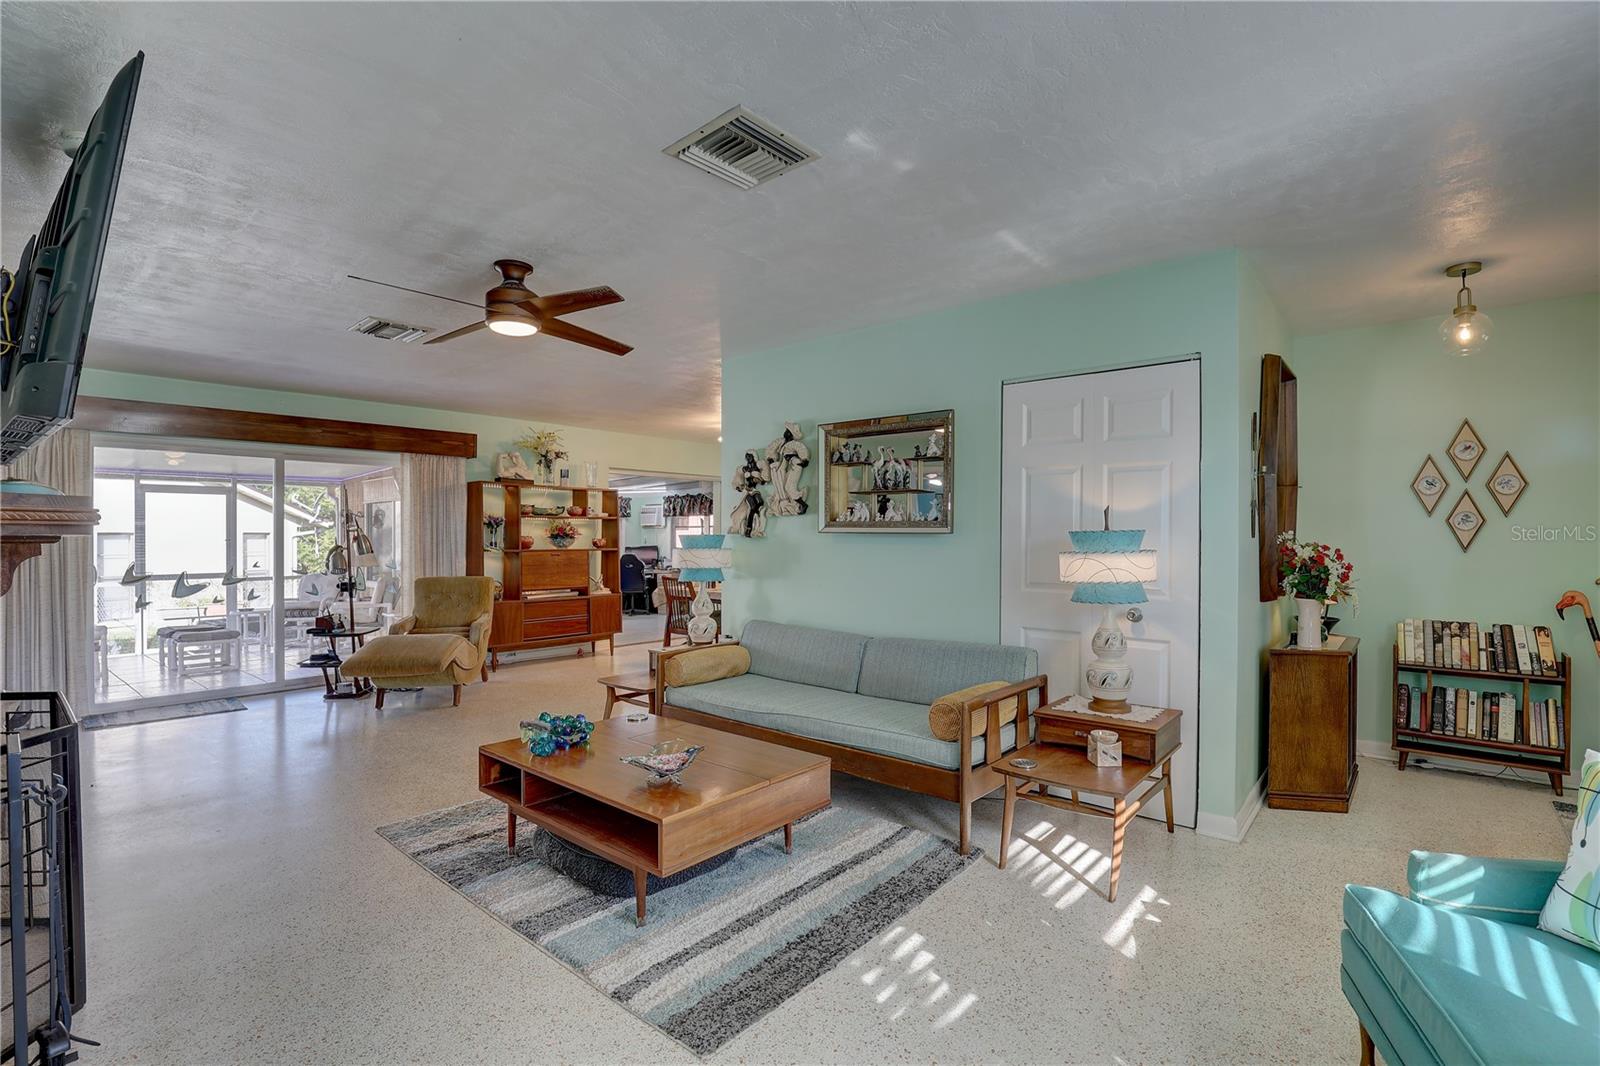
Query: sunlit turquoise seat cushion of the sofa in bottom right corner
1479, 990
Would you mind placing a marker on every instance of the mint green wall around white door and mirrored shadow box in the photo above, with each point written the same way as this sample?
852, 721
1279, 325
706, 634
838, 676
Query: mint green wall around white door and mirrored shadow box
950, 587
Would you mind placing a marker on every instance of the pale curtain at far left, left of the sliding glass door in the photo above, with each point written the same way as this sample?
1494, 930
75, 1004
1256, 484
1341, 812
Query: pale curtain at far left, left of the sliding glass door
47, 617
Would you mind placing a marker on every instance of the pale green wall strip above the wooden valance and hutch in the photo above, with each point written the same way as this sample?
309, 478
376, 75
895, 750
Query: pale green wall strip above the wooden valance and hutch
495, 435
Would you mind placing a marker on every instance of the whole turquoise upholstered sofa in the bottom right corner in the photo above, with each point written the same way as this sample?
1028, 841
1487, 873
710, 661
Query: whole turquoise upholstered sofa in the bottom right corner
1460, 972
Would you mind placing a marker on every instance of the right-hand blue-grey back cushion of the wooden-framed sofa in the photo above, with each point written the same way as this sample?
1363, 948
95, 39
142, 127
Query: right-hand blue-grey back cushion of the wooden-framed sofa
921, 671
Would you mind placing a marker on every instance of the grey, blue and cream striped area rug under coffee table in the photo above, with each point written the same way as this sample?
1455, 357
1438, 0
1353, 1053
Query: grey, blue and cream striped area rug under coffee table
719, 952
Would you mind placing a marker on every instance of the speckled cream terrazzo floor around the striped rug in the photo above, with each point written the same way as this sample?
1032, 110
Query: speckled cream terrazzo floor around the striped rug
242, 910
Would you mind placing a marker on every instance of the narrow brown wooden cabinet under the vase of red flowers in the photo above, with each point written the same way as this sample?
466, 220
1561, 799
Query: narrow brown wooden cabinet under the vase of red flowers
1311, 726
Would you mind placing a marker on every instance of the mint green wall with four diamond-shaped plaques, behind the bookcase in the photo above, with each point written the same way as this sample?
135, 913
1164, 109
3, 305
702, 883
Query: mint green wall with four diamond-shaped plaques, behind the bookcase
1375, 403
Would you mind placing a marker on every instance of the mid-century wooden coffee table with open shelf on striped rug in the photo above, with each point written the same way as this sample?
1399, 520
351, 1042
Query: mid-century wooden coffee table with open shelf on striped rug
735, 791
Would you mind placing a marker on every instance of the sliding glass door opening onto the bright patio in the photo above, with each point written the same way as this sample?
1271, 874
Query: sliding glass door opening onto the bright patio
214, 564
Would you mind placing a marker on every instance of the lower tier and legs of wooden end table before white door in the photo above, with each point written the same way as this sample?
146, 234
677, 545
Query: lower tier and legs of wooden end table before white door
1130, 787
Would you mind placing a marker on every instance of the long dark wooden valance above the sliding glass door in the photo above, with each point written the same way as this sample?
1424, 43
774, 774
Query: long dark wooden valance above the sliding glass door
177, 420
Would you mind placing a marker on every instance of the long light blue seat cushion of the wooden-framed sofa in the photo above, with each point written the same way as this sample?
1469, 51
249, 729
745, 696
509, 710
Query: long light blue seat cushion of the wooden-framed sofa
887, 727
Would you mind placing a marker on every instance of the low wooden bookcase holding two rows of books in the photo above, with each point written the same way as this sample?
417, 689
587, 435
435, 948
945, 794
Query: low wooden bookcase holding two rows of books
1548, 761
